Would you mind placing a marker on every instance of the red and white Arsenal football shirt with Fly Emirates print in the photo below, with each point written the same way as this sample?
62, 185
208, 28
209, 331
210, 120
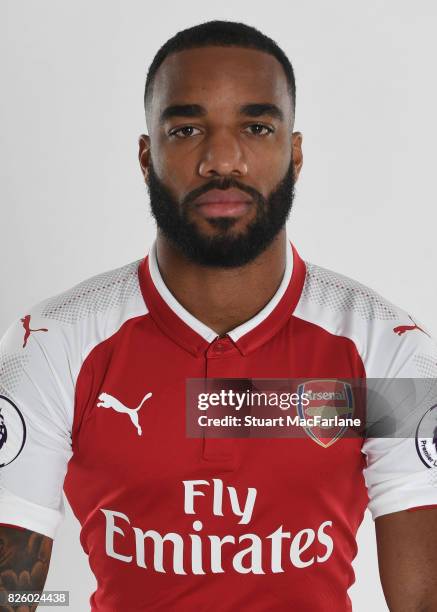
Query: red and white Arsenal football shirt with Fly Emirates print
92, 387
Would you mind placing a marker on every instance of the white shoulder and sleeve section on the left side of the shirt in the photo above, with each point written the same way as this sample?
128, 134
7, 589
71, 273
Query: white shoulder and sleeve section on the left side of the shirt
40, 379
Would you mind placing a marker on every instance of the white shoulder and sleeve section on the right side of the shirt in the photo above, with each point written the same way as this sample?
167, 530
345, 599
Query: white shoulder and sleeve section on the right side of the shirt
395, 476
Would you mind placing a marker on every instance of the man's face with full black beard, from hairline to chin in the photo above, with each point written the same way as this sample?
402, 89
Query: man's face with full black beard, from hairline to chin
221, 160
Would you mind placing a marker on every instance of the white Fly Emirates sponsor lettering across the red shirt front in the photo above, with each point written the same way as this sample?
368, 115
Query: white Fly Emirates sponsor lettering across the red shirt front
168, 553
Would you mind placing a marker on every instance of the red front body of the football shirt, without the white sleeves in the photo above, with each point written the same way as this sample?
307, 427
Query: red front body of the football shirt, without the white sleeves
300, 485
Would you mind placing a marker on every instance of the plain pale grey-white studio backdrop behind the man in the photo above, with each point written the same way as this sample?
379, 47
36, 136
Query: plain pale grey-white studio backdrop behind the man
74, 204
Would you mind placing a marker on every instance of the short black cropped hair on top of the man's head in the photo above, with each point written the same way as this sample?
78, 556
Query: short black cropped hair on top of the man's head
221, 34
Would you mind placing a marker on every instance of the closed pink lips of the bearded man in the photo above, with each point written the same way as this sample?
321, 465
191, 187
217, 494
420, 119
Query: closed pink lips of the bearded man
223, 203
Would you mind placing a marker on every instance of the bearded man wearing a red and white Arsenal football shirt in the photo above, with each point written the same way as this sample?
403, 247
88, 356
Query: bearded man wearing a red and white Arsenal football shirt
172, 522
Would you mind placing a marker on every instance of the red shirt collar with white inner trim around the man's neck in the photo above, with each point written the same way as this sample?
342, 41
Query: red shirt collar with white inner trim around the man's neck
193, 335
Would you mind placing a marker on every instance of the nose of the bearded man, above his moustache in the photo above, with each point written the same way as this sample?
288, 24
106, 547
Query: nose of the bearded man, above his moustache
222, 156
